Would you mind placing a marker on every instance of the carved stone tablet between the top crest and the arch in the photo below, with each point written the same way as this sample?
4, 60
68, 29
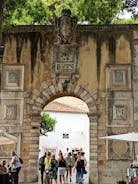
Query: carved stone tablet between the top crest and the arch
65, 64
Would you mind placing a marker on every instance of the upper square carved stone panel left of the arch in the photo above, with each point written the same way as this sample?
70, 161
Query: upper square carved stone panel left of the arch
13, 77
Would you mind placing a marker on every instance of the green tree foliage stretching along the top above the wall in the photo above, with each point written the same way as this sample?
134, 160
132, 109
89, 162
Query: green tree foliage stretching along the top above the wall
43, 11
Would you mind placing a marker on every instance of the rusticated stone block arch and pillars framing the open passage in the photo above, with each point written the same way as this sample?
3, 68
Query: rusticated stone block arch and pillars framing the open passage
36, 103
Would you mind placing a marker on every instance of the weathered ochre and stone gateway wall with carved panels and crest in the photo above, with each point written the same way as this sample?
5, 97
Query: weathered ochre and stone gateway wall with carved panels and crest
98, 64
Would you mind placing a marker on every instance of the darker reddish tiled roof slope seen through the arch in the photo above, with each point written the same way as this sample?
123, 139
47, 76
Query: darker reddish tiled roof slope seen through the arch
59, 107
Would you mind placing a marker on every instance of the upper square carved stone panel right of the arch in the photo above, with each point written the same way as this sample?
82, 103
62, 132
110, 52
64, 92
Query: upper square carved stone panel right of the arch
118, 77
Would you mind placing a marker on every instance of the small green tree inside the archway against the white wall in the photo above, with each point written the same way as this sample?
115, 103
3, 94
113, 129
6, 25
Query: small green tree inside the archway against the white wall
47, 123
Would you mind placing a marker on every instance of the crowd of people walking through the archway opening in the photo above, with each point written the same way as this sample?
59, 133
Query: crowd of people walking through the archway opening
62, 166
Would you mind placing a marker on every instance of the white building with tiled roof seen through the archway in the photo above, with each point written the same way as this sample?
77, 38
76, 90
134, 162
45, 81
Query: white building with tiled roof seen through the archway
71, 130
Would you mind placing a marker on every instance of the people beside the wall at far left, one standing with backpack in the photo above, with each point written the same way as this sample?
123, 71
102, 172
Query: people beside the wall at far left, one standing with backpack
12, 168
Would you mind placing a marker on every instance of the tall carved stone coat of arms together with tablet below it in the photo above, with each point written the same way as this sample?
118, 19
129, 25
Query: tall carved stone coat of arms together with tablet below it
65, 51
